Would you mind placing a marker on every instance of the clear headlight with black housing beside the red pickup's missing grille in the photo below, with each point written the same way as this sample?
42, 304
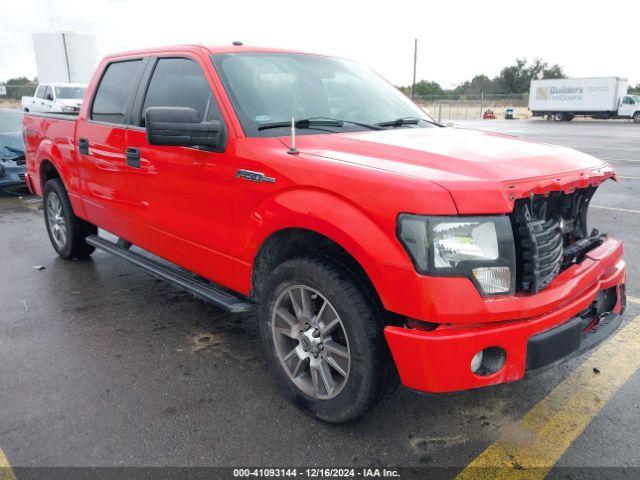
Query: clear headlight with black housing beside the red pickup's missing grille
480, 248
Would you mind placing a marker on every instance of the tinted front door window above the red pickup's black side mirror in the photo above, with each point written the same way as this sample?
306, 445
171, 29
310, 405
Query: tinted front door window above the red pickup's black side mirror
180, 82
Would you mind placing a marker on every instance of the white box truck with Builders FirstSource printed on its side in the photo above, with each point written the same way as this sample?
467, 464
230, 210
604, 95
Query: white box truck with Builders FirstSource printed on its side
596, 97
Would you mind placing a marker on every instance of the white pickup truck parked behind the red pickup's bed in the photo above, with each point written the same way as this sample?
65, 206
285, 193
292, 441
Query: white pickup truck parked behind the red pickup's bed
55, 97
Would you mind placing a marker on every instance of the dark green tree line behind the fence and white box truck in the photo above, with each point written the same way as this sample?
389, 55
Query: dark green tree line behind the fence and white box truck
512, 79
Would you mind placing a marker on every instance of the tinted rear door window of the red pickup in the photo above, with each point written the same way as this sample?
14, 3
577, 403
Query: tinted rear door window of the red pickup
113, 98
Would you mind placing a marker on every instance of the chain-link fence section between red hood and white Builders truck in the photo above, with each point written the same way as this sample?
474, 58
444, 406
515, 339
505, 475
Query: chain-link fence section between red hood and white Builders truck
445, 108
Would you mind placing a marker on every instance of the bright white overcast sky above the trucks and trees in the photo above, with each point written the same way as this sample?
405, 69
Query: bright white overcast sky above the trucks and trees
457, 39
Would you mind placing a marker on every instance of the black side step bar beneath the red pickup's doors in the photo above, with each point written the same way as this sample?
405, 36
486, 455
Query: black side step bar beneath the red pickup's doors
200, 288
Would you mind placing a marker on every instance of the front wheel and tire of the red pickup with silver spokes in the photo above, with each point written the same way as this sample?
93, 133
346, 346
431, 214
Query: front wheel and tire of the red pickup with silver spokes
323, 337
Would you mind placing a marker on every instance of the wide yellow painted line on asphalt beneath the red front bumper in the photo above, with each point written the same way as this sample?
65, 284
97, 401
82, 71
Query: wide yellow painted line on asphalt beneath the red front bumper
530, 448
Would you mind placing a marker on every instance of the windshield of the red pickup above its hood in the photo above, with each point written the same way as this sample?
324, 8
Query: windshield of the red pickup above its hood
274, 87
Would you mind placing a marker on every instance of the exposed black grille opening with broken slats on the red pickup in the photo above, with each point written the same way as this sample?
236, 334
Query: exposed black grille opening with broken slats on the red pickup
550, 232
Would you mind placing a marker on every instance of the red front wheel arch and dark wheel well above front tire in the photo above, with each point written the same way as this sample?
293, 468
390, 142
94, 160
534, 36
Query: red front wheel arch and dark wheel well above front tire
302, 222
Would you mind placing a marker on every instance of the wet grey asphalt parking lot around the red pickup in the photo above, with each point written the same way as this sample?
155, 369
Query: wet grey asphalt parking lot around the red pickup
102, 365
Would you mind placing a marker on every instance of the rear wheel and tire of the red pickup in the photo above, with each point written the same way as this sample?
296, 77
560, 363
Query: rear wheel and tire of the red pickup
66, 231
